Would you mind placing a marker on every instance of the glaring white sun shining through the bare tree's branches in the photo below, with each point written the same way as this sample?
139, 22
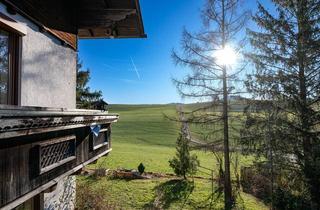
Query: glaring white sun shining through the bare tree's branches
225, 56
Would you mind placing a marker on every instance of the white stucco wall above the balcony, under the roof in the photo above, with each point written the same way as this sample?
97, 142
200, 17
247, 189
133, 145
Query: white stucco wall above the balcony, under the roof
48, 69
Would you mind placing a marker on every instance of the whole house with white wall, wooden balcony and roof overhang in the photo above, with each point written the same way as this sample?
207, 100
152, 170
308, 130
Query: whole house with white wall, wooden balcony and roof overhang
40, 147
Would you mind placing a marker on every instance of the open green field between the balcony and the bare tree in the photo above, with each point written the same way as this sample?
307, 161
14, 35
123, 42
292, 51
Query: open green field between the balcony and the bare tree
143, 135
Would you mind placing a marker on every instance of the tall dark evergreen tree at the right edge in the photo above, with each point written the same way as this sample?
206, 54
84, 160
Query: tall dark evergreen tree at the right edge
287, 61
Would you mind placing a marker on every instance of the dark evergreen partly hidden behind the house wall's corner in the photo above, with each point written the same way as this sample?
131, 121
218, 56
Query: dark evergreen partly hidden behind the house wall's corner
83, 93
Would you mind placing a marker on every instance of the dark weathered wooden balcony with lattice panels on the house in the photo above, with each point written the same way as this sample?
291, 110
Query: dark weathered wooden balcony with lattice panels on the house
40, 146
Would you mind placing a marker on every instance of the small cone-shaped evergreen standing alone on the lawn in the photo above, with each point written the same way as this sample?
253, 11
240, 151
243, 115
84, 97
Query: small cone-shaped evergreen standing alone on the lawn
183, 163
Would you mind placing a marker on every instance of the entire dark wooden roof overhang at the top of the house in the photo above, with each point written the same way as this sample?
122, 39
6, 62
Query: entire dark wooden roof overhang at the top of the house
87, 19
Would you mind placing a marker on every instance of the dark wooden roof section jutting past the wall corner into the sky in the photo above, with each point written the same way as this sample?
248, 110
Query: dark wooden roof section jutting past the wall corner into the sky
110, 19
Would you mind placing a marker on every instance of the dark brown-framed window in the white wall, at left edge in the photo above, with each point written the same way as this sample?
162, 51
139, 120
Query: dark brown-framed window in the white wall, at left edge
9, 54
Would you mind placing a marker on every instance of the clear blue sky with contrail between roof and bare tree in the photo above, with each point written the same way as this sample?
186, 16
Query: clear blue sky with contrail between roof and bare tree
139, 71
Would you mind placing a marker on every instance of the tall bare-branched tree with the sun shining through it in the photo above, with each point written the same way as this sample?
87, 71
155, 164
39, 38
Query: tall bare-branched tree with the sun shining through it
212, 78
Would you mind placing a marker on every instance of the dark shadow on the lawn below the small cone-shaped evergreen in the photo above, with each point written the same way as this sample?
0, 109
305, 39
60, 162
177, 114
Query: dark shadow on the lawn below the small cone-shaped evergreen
170, 192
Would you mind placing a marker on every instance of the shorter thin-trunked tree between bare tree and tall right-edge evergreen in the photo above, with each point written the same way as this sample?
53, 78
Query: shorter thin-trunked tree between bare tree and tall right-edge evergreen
259, 137
